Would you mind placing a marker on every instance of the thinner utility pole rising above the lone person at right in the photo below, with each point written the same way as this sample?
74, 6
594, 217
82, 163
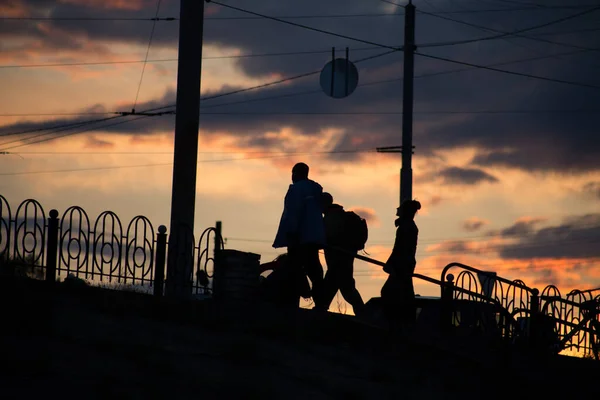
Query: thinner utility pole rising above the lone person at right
407, 103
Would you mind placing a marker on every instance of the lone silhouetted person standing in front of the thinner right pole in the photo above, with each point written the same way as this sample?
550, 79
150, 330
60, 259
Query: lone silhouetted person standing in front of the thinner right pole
398, 294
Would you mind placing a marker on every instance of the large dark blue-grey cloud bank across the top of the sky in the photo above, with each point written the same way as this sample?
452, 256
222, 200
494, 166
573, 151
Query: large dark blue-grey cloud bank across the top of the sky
544, 141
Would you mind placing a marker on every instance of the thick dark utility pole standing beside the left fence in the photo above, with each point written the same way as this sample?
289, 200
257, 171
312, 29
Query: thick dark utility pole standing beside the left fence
180, 260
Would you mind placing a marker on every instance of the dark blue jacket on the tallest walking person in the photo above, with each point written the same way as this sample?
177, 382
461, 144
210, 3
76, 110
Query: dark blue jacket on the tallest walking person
302, 215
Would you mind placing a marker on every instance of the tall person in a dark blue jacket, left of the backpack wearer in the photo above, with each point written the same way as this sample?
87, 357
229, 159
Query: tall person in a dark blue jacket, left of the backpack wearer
301, 228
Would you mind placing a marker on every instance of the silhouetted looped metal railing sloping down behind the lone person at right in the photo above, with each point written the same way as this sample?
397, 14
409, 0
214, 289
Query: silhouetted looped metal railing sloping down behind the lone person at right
540, 320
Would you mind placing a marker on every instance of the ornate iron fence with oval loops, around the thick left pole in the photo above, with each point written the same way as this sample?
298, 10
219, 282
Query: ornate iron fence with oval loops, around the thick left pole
100, 250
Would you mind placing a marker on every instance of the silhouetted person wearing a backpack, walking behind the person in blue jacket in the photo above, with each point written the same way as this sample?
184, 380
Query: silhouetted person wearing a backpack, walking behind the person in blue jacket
346, 234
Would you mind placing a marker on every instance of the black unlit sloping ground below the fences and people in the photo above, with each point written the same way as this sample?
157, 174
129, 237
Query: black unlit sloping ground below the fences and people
91, 343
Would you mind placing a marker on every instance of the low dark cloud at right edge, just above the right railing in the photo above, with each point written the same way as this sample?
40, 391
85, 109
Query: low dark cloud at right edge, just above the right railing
576, 237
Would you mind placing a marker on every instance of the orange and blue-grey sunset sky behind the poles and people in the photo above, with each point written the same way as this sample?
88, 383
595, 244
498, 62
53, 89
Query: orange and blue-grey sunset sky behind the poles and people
506, 166
